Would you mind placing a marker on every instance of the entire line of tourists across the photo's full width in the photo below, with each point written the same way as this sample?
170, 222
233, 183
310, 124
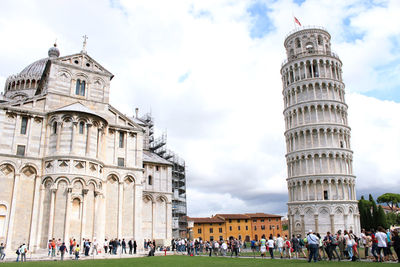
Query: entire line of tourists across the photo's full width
377, 246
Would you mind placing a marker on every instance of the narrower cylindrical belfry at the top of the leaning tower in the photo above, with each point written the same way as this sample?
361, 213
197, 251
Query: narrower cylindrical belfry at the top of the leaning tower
307, 40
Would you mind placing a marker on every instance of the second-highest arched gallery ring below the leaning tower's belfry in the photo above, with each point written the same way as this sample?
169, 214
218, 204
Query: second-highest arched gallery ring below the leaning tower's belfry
303, 92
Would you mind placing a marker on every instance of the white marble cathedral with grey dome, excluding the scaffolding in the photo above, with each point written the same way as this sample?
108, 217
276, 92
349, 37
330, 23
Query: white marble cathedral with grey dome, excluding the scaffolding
72, 165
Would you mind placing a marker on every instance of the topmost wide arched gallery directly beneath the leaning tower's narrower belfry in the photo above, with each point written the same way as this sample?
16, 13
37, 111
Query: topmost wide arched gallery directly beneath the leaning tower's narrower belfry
310, 69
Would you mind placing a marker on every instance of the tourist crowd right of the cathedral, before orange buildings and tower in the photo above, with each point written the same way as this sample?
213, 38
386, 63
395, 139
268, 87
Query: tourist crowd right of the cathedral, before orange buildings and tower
377, 246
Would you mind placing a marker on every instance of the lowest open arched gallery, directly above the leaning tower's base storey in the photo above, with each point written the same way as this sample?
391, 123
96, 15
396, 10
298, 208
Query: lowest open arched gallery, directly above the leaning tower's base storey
306, 189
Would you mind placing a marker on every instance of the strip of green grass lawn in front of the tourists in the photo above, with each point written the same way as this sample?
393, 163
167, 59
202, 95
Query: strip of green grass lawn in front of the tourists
187, 262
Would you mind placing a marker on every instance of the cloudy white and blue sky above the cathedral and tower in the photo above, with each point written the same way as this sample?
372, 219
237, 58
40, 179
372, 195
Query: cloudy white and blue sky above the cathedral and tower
209, 72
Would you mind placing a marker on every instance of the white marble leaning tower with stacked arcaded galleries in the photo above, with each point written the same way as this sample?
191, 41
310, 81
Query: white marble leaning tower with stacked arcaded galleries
321, 183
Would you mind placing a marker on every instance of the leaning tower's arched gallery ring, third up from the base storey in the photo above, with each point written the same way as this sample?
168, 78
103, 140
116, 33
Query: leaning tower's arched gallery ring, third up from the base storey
317, 137
